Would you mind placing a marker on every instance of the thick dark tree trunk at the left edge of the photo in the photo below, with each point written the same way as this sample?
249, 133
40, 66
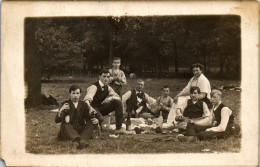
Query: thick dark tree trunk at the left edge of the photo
33, 66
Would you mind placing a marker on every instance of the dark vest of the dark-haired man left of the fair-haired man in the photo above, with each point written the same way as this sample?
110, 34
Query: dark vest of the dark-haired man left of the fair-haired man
193, 110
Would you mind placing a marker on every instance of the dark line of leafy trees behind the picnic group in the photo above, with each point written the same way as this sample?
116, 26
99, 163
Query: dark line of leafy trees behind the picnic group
147, 45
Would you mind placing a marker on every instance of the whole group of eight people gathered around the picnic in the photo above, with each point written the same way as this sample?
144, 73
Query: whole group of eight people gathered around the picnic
196, 109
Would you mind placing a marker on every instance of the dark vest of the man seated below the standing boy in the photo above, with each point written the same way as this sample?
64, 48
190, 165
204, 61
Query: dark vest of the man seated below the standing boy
100, 95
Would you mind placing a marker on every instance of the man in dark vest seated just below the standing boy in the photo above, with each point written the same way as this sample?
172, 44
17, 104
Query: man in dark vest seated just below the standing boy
101, 98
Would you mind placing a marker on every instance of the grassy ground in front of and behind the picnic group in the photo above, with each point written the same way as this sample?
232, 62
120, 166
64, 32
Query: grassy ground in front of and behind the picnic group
41, 130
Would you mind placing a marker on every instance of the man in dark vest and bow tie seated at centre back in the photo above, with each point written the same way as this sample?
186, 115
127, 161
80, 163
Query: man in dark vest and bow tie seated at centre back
136, 101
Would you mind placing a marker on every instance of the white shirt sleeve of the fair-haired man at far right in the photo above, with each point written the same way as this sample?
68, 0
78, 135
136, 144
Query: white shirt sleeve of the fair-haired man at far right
225, 114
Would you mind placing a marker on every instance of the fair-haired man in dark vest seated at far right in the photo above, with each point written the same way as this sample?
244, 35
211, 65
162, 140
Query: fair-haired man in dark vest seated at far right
223, 122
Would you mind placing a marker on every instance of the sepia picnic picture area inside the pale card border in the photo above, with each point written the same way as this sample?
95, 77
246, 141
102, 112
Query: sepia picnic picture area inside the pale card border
172, 84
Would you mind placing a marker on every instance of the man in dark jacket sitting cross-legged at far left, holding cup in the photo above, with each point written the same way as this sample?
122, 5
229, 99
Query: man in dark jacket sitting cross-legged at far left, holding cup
76, 123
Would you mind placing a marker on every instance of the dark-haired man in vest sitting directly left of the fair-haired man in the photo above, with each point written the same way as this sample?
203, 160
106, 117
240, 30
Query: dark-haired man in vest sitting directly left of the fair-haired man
194, 110
